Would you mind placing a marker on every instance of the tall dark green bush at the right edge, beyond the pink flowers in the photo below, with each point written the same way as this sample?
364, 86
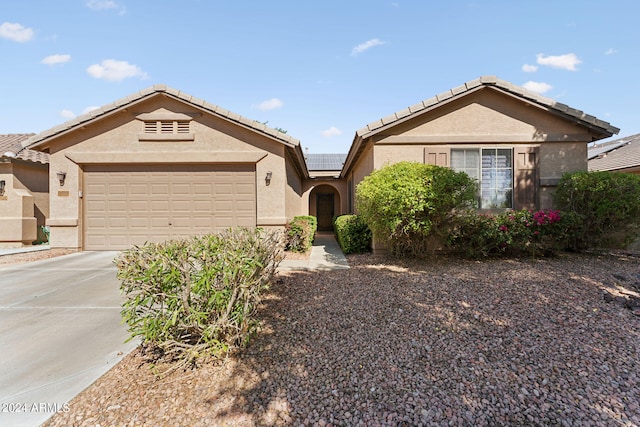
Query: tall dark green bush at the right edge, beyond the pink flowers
606, 204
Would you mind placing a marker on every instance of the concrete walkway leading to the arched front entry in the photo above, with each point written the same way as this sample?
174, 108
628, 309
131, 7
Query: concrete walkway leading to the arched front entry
326, 255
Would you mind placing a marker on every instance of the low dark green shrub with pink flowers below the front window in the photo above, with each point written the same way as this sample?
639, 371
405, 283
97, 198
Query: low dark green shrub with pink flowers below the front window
511, 233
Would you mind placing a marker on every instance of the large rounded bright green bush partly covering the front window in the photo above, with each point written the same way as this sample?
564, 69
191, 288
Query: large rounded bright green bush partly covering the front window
408, 206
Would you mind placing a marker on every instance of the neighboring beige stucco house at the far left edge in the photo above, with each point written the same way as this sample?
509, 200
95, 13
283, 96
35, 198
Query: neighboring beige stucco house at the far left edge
24, 192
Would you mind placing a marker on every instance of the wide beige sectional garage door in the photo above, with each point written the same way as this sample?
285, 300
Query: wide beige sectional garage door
131, 205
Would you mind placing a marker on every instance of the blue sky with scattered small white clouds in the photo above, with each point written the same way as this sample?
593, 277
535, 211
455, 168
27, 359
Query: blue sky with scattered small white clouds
318, 69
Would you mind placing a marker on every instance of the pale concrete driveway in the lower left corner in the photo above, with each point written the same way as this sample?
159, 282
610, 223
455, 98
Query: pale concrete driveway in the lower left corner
60, 330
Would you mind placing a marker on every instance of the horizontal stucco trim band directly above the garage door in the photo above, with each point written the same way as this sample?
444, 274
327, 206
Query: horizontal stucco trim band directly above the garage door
166, 157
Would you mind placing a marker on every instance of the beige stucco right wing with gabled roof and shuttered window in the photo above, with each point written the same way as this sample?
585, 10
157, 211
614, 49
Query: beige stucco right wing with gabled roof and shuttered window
515, 142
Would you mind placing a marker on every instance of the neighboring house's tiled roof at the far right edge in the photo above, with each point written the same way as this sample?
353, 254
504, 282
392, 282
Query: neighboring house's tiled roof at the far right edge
620, 155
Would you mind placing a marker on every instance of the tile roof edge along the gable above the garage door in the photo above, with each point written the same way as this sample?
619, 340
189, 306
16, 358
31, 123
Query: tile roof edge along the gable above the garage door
151, 91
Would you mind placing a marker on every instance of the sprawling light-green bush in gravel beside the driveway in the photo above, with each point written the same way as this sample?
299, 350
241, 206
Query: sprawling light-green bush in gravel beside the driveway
197, 297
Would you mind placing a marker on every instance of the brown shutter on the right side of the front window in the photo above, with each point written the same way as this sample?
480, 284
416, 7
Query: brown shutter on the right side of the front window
525, 185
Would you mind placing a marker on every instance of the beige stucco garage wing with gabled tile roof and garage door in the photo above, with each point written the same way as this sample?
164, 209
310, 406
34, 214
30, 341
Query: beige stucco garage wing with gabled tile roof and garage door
162, 164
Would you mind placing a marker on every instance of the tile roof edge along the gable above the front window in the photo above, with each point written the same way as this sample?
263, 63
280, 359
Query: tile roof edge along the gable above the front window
486, 81
